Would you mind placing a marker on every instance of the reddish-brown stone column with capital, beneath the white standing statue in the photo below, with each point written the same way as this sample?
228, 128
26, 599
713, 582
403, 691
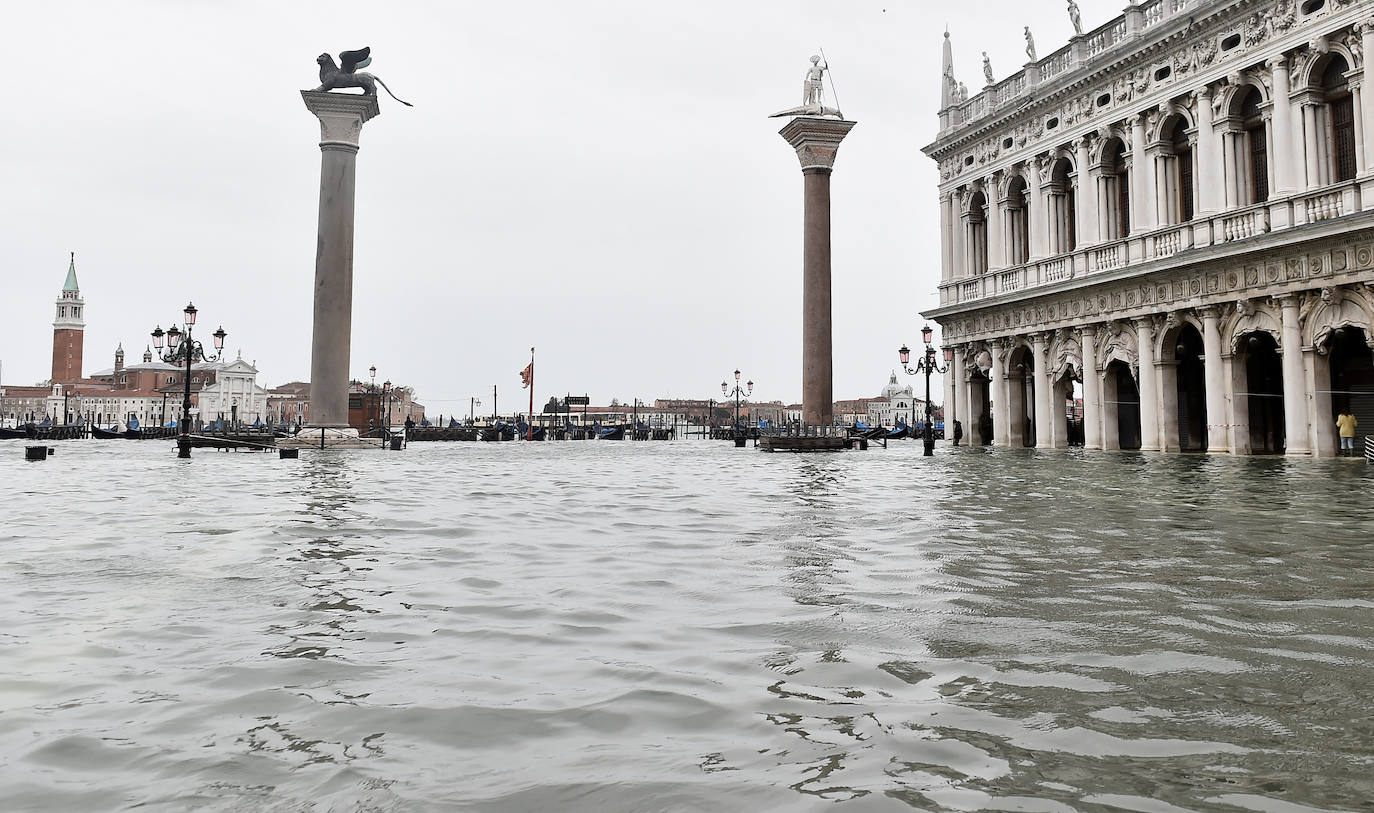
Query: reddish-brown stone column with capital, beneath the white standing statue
817, 141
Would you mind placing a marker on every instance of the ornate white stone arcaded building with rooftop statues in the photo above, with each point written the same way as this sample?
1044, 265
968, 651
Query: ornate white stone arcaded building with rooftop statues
1174, 216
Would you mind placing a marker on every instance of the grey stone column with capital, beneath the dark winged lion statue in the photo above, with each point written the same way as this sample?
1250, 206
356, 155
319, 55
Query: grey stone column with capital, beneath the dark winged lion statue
341, 124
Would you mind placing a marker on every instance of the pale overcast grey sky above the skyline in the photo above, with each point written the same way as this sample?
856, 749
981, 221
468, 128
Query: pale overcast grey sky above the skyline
597, 179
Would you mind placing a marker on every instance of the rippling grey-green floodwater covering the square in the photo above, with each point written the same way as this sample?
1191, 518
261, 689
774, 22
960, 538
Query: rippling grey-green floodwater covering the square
619, 627
